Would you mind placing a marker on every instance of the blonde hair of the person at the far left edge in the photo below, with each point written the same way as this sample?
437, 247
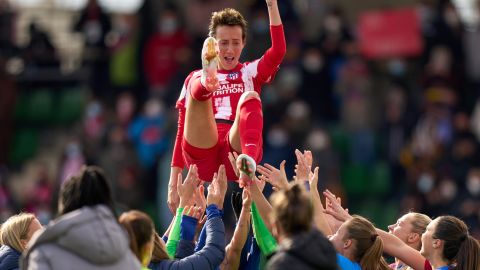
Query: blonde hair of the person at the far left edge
15, 229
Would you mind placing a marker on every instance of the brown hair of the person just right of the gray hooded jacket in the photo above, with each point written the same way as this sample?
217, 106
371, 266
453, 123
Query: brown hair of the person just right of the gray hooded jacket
140, 230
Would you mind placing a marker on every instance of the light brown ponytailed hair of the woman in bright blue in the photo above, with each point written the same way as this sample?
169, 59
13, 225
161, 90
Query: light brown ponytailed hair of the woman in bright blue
368, 247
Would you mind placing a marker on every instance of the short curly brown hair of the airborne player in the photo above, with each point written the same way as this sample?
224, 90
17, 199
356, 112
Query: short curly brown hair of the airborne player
229, 17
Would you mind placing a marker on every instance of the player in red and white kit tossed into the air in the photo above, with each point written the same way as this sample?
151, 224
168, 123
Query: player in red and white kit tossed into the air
219, 106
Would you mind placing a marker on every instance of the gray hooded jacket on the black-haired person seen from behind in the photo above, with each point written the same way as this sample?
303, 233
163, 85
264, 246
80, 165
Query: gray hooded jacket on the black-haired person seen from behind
87, 238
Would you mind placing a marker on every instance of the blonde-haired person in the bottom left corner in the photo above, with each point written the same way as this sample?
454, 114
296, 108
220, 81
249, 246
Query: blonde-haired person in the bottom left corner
15, 233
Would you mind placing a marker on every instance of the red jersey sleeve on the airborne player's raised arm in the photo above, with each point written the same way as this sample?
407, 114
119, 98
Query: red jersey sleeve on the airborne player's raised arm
269, 64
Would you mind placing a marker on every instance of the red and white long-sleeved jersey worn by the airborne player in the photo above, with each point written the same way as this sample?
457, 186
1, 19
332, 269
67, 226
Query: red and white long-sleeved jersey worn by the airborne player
248, 76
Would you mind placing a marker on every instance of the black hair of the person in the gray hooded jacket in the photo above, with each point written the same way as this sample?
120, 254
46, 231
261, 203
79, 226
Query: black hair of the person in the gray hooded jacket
89, 188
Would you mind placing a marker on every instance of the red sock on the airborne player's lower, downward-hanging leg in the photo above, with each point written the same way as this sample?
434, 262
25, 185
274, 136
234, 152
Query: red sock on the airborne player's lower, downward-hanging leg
251, 125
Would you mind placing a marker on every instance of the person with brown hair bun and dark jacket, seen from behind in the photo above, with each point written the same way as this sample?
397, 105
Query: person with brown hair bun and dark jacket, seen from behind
300, 246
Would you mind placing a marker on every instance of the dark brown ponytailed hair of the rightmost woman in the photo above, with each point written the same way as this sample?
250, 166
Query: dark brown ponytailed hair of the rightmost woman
459, 247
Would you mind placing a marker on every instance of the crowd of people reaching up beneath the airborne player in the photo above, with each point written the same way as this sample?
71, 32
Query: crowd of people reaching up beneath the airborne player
295, 229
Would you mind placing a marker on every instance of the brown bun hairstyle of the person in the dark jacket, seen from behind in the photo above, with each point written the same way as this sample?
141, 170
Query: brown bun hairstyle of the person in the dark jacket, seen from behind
293, 210
